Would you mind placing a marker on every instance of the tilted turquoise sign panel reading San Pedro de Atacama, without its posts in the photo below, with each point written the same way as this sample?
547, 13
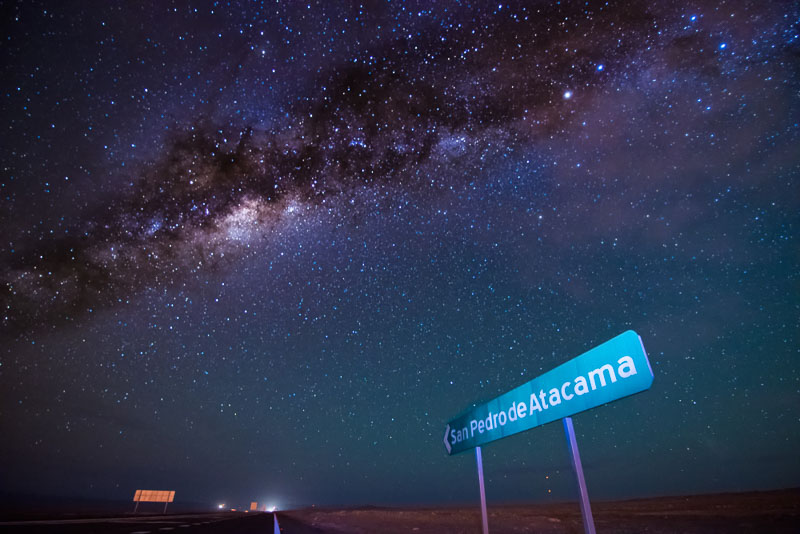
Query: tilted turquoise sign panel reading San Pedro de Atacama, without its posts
615, 369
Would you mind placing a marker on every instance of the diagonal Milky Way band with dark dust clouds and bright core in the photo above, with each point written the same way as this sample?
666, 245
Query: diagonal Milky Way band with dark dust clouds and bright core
375, 127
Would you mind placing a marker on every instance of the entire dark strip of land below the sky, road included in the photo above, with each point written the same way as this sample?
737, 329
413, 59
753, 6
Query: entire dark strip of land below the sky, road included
763, 512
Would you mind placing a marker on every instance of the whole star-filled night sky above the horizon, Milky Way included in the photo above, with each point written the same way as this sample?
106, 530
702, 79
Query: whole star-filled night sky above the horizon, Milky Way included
266, 250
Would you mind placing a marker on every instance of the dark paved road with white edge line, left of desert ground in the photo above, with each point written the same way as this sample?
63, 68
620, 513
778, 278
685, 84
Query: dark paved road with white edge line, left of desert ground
239, 523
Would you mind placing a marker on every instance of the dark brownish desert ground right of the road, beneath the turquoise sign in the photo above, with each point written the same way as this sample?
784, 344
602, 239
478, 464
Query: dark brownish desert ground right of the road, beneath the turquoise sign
762, 512
